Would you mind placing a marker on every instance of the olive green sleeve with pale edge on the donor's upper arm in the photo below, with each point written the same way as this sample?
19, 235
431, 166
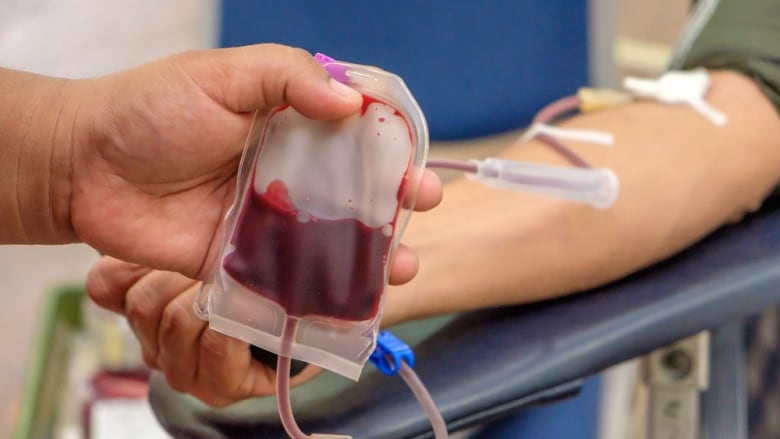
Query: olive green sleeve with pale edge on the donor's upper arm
738, 35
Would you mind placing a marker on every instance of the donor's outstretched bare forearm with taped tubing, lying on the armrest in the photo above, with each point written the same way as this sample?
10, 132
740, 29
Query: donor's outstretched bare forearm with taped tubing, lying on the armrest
680, 176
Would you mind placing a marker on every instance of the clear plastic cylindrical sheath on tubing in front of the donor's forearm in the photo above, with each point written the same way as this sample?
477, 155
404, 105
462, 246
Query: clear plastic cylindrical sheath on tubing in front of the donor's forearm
598, 187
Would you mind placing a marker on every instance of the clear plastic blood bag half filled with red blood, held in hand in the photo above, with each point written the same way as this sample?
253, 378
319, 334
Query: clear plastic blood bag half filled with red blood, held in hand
319, 211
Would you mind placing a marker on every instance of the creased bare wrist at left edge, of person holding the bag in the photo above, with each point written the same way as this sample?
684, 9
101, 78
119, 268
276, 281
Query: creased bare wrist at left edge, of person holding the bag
36, 122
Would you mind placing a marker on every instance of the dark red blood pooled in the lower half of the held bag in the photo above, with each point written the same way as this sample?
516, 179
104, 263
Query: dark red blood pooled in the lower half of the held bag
332, 268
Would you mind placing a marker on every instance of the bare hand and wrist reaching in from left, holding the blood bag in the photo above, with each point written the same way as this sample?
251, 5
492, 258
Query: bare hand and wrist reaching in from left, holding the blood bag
141, 164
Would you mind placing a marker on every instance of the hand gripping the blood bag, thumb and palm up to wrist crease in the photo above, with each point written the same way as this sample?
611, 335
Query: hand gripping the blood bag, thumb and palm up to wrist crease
156, 148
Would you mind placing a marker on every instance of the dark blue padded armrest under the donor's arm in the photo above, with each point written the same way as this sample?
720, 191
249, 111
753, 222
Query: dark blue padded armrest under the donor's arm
489, 364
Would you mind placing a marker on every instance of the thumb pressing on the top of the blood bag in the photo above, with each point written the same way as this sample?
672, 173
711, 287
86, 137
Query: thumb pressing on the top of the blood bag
262, 76
